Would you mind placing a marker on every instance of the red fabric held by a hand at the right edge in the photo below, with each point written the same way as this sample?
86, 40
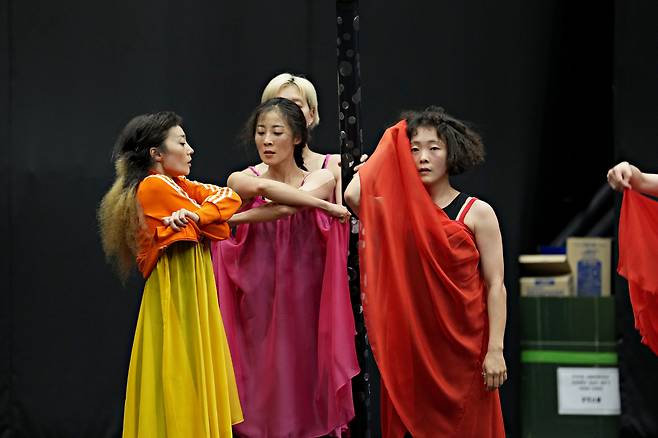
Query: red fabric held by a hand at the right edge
638, 261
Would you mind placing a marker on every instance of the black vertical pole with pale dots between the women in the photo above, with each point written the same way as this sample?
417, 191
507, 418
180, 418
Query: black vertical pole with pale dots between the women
366, 421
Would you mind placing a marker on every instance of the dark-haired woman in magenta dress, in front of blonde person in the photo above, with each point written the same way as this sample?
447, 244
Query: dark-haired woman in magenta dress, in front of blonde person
283, 289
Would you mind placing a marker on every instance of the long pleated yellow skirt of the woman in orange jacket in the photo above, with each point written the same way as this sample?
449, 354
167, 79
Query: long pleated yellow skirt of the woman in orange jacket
181, 382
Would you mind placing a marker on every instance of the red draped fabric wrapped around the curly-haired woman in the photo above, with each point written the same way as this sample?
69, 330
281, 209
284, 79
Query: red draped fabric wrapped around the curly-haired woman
424, 303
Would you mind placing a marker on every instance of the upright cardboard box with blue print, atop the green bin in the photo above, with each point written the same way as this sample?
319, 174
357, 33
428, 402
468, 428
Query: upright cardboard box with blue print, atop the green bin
589, 259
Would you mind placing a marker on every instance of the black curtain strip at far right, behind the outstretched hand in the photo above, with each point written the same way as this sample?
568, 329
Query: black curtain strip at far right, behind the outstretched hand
636, 140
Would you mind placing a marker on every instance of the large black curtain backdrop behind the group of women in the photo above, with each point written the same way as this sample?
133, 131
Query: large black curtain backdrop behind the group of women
534, 77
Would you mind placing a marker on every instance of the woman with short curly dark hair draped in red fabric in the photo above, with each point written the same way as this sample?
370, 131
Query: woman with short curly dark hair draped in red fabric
432, 279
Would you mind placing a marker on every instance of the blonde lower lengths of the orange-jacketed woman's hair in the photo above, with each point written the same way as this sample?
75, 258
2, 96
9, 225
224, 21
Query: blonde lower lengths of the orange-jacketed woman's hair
119, 220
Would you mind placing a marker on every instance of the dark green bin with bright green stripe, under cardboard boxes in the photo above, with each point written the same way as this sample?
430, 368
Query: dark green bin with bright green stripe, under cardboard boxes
563, 332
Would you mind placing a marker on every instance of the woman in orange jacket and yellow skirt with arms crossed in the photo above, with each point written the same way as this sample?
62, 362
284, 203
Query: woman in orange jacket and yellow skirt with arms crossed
180, 381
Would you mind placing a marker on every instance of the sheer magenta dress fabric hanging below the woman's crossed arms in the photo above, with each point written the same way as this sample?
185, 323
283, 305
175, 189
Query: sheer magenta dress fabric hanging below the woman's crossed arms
284, 297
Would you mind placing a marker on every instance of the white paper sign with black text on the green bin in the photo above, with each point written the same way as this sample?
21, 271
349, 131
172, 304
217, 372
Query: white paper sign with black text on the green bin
588, 391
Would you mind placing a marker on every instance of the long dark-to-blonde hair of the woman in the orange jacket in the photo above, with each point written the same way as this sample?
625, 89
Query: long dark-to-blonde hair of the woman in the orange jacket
119, 215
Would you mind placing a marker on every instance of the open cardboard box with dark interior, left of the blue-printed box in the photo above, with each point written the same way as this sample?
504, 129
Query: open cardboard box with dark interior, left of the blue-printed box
545, 275
